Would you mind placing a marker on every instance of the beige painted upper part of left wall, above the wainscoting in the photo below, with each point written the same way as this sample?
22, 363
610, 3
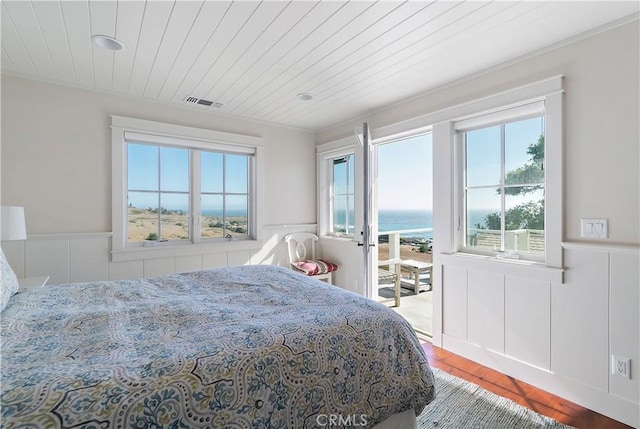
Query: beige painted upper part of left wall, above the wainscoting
56, 156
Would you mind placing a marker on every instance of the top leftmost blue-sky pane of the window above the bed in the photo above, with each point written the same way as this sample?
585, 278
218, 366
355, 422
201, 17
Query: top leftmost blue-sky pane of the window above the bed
142, 167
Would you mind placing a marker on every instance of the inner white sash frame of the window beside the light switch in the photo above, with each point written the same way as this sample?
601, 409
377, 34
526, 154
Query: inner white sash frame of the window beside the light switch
499, 118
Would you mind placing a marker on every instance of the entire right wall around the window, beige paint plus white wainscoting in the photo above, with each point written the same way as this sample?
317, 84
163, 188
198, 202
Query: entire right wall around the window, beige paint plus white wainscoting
556, 335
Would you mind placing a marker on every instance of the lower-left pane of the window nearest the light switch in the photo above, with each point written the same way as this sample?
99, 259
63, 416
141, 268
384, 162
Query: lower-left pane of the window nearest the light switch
483, 219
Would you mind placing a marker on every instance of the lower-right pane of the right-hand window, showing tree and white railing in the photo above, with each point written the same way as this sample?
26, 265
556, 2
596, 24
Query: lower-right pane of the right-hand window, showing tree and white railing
524, 218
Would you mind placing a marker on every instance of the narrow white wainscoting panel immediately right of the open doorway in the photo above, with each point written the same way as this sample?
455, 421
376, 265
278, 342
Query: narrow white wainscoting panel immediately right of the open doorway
454, 302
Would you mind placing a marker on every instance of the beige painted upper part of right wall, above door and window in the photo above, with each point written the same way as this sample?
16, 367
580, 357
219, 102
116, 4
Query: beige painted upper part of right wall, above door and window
601, 149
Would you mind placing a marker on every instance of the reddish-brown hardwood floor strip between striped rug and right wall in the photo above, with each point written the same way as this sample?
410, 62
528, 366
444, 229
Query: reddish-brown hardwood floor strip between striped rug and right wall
522, 393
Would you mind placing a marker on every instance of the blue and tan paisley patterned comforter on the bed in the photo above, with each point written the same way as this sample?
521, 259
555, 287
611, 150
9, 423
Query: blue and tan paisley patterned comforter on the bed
243, 347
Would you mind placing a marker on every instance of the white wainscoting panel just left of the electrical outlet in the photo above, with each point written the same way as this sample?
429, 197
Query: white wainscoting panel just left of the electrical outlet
580, 319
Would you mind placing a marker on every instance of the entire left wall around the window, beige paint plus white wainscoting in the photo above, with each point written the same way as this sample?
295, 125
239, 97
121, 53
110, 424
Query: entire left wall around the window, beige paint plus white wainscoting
56, 147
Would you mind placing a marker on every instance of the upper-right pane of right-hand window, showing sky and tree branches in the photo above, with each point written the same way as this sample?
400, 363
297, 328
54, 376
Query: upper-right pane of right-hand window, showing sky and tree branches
524, 151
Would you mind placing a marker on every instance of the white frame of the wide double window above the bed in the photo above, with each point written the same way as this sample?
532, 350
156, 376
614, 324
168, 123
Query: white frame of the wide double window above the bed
125, 129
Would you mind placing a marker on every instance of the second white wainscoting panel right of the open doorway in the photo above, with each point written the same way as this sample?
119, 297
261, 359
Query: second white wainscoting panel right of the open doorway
486, 309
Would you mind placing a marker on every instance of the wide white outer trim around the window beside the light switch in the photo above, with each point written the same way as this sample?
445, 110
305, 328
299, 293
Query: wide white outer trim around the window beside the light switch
446, 164
